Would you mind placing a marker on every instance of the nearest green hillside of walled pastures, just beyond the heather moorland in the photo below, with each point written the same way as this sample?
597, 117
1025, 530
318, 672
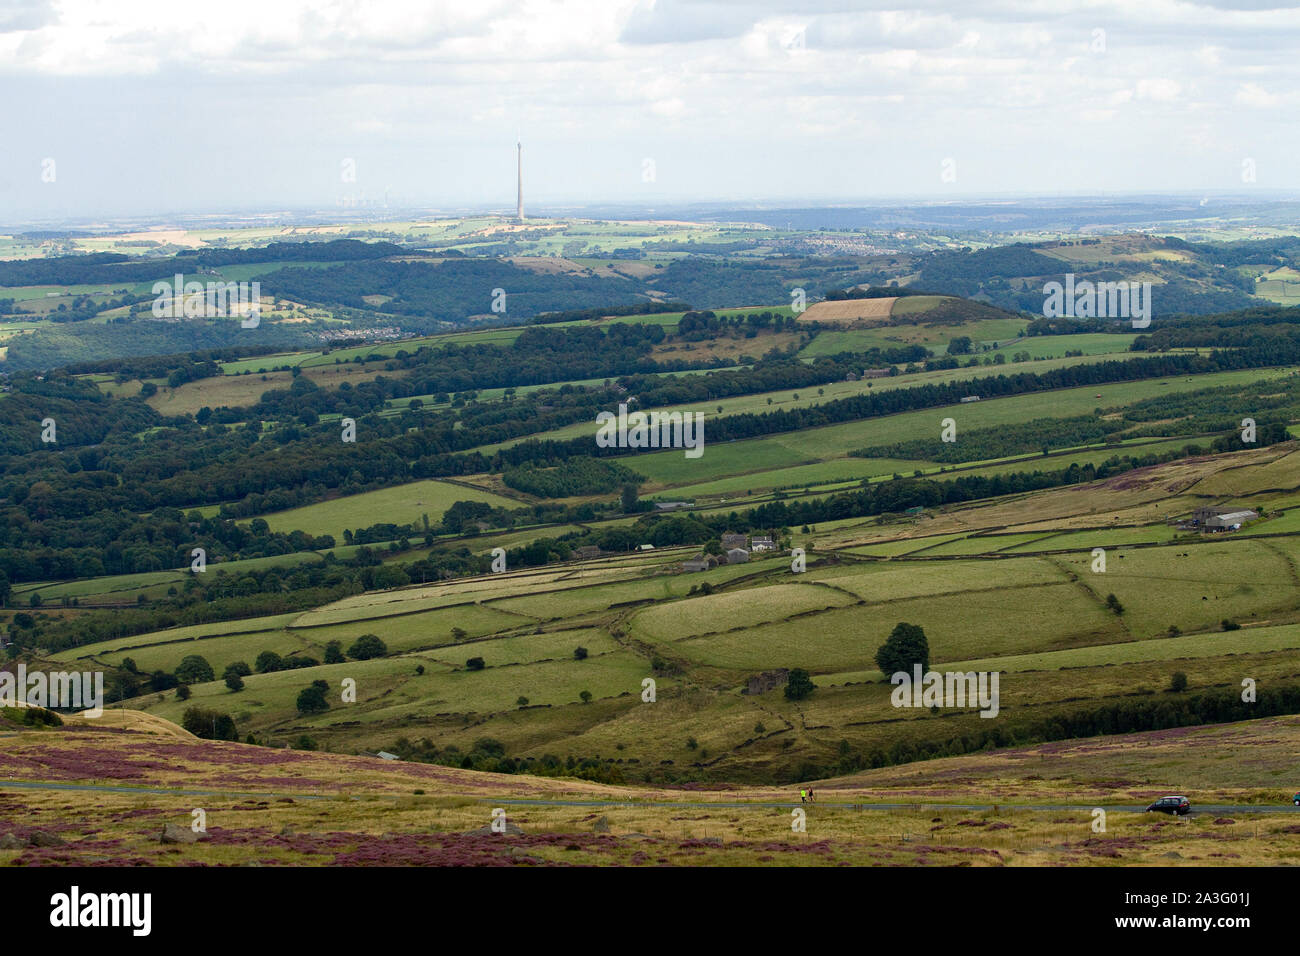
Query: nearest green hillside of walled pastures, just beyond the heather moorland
1042, 621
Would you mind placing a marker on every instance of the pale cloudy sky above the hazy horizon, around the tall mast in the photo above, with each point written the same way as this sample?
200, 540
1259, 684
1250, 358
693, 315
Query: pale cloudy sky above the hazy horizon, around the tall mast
154, 109
